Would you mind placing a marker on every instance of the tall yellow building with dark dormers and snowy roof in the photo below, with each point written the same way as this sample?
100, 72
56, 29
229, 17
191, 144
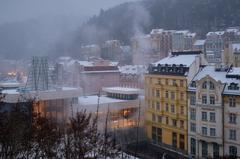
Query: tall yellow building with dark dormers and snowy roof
166, 116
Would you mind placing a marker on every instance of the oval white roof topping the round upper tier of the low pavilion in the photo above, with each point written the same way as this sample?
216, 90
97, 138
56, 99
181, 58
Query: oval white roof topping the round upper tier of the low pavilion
121, 90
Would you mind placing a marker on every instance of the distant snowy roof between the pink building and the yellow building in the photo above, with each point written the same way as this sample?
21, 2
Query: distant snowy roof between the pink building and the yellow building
133, 69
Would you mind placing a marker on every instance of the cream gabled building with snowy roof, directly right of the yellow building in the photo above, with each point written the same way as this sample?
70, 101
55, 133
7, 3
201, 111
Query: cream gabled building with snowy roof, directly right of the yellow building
206, 112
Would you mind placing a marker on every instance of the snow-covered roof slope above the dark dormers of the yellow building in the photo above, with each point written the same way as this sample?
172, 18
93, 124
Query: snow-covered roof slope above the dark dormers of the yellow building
185, 60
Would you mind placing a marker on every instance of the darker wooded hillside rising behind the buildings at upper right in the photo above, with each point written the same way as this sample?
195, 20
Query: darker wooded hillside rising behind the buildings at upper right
126, 20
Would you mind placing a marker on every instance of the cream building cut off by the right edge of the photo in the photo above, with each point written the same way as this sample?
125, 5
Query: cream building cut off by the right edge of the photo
231, 103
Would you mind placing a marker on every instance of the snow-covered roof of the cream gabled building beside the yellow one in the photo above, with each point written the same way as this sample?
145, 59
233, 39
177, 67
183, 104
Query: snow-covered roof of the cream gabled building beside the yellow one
216, 75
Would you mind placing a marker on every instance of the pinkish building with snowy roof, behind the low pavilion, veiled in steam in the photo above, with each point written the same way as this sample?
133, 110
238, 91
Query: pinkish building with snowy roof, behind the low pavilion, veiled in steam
92, 75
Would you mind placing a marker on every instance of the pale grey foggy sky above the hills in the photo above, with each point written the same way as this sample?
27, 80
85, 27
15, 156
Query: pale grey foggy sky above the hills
18, 10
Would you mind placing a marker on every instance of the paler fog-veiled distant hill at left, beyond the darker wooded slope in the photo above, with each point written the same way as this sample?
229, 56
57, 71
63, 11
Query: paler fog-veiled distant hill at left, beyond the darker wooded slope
37, 36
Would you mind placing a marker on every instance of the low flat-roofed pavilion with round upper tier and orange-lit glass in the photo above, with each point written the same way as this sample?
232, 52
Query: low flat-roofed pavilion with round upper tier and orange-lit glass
123, 104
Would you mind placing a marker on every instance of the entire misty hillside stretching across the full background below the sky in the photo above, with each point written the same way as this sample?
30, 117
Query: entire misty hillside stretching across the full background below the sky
60, 37
